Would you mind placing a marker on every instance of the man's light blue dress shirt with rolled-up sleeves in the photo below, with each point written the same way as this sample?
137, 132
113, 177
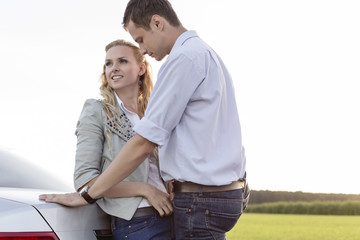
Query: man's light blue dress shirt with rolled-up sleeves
193, 118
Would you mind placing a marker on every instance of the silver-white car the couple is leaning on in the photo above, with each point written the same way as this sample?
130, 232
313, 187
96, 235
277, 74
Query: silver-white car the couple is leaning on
23, 216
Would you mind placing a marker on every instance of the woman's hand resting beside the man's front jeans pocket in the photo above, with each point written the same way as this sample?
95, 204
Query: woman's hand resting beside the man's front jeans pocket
159, 200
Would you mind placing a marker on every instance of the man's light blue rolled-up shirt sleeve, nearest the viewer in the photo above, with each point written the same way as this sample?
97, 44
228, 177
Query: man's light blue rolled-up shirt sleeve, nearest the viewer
177, 80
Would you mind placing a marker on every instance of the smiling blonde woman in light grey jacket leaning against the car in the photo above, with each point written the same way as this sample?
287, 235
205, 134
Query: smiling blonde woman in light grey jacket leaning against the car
103, 128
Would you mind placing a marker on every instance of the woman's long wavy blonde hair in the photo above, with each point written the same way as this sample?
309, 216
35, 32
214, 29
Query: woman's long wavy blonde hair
145, 86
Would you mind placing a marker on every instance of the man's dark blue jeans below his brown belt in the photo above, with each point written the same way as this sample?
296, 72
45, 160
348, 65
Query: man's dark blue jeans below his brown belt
208, 215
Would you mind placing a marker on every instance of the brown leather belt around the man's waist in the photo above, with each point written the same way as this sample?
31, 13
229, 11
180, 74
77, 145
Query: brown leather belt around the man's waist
189, 187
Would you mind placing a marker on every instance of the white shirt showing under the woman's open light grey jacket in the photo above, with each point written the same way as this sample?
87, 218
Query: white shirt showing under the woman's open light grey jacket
154, 173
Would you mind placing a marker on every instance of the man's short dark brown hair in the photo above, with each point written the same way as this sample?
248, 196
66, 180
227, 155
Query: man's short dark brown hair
141, 11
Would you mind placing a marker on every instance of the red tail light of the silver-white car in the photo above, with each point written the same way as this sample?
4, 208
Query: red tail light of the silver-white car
28, 236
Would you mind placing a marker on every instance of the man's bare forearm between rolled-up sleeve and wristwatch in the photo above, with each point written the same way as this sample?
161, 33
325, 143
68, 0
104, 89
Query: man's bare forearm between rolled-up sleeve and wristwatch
126, 161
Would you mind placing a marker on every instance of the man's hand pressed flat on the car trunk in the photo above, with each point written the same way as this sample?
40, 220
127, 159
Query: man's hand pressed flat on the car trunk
67, 199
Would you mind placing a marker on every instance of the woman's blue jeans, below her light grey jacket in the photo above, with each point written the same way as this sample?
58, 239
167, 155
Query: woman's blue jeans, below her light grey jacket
149, 227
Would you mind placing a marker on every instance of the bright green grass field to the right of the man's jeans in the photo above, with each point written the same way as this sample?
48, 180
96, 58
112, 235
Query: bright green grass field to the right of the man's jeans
252, 226
